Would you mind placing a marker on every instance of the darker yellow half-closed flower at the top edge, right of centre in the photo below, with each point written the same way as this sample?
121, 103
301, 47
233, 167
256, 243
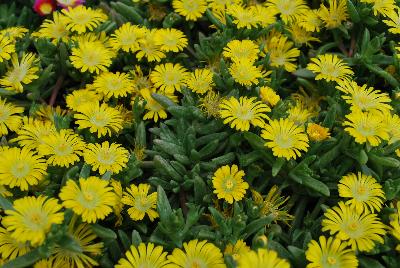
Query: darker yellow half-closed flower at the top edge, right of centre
333, 16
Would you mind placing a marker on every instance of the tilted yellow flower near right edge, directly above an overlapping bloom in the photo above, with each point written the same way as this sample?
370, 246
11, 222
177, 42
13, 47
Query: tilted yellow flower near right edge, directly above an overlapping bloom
363, 98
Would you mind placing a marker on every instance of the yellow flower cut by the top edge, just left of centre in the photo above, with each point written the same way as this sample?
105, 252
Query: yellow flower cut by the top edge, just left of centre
190, 9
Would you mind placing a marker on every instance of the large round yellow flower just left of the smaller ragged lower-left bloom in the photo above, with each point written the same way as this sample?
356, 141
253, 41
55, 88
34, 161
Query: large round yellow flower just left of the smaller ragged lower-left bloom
92, 198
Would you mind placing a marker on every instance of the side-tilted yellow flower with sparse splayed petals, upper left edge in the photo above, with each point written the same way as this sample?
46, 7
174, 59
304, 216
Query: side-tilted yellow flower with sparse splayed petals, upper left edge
21, 73
